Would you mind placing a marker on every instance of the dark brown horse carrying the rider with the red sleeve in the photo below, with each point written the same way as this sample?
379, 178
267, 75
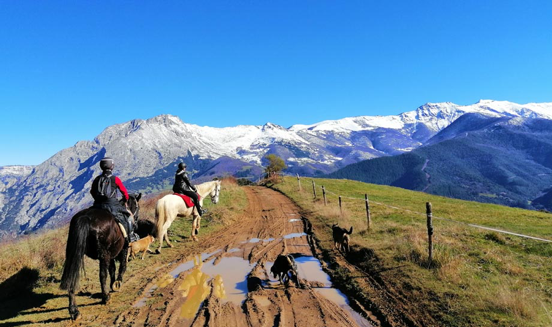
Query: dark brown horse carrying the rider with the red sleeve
95, 232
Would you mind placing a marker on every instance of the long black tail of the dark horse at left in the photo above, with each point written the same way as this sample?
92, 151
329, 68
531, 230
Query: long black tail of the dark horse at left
74, 252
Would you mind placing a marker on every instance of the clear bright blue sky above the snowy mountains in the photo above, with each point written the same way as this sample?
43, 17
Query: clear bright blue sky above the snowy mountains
69, 69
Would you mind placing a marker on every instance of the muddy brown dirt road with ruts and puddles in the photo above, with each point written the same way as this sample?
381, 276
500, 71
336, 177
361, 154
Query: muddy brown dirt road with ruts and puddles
228, 282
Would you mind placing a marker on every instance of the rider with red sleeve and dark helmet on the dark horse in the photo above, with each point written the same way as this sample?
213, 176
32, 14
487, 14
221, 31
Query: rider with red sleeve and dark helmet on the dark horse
104, 191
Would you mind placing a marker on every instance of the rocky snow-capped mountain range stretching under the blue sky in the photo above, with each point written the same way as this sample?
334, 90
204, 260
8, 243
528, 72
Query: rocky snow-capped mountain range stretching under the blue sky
146, 151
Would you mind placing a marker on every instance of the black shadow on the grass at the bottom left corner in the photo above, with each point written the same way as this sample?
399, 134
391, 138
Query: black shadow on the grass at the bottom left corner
17, 294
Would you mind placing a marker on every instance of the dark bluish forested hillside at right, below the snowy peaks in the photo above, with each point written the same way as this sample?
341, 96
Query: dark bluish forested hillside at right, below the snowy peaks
496, 160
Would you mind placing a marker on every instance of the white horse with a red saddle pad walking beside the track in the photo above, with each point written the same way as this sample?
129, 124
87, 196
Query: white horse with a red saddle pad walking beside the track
170, 206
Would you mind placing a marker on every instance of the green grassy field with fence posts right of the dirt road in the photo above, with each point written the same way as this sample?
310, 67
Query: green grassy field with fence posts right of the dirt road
477, 277
